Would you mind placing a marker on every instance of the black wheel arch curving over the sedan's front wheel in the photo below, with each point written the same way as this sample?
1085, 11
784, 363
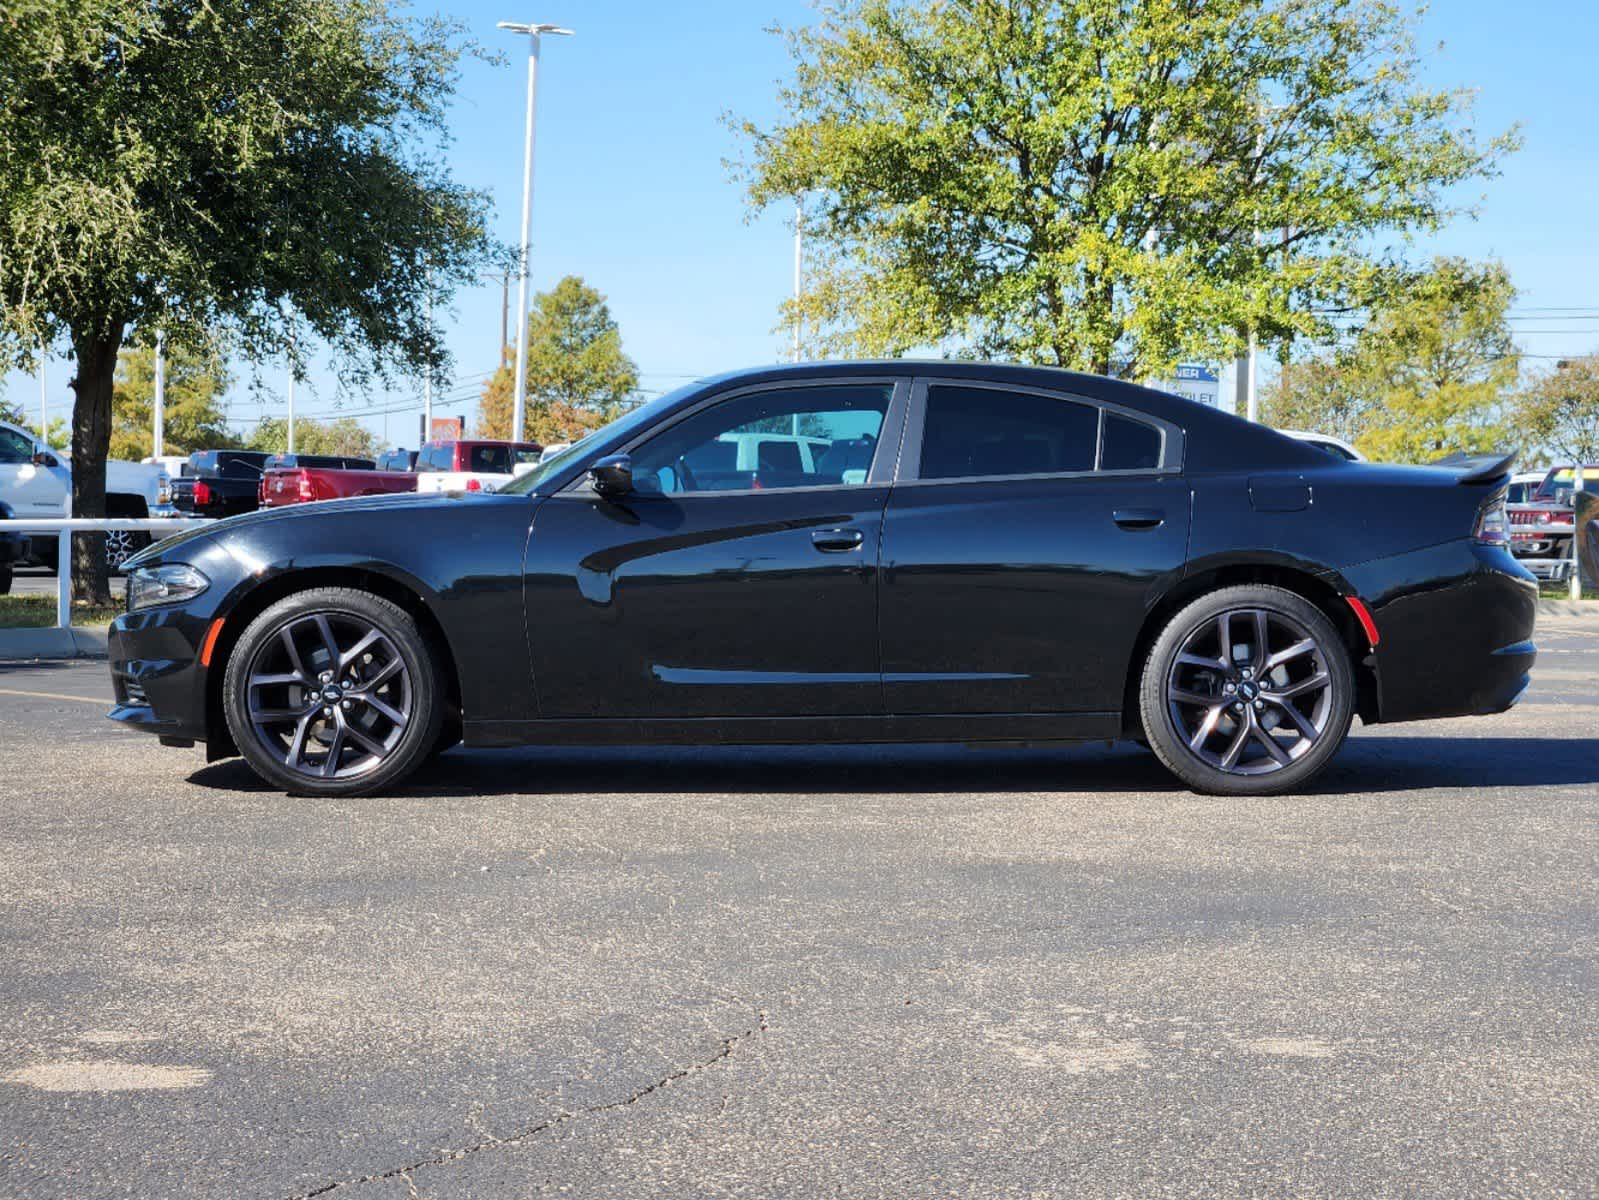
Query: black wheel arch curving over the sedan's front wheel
258, 599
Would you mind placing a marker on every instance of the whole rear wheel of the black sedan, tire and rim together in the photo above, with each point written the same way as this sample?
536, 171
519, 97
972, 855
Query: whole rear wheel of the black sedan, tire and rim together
1198, 713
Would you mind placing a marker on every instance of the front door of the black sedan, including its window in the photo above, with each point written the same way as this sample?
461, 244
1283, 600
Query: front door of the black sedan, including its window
741, 575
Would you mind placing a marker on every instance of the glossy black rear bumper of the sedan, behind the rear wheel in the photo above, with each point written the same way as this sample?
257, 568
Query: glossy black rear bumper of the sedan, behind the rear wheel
1456, 628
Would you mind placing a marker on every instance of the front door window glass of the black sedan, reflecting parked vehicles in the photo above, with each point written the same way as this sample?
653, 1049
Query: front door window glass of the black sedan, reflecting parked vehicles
800, 438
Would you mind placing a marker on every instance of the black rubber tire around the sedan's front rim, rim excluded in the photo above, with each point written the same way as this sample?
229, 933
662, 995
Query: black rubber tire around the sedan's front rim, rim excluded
420, 660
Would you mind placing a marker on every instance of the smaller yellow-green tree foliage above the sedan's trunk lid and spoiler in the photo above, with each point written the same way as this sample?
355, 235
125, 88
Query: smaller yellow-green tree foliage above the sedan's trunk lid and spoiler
1429, 374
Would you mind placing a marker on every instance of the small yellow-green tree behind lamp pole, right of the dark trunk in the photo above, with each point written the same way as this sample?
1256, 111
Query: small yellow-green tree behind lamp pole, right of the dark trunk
196, 415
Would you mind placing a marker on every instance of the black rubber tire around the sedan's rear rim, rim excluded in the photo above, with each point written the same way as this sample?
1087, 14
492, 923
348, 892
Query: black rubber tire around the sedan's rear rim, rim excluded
1173, 750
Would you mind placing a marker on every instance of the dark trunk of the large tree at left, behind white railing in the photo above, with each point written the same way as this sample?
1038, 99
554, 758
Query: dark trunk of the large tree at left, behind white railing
97, 358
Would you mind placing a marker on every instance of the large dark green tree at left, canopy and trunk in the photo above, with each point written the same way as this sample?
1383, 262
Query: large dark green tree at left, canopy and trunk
241, 166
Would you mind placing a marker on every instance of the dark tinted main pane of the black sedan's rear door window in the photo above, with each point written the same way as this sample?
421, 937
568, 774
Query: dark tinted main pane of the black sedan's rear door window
986, 431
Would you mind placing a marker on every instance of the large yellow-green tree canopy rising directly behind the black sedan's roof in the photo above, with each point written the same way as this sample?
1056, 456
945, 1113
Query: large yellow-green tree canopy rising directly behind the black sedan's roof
1082, 183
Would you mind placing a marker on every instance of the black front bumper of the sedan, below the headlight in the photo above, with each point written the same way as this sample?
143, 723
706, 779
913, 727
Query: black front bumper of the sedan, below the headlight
156, 673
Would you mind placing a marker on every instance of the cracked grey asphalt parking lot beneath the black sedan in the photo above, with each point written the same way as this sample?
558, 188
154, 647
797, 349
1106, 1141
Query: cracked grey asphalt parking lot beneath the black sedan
802, 974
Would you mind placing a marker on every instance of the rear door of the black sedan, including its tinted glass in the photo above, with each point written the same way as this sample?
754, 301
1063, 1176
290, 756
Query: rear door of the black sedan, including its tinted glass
1024, 543
